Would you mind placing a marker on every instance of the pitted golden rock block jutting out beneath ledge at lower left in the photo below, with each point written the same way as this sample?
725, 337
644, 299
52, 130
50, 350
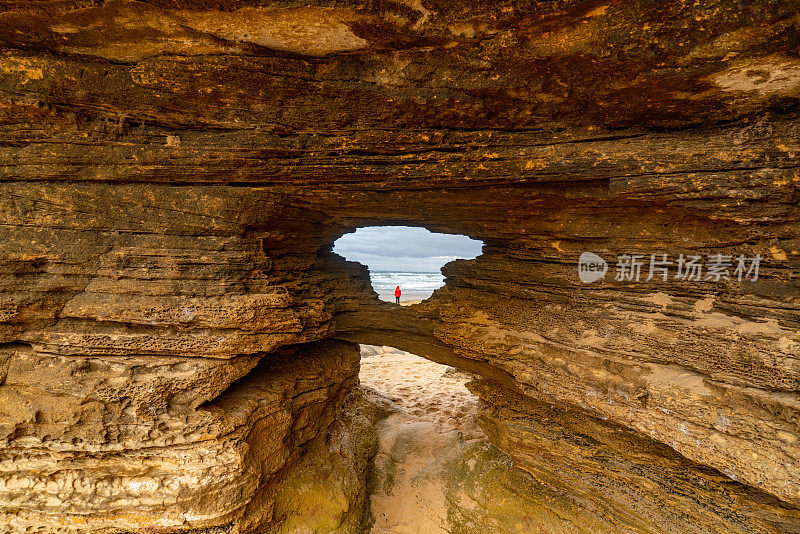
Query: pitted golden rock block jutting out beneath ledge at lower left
105, 444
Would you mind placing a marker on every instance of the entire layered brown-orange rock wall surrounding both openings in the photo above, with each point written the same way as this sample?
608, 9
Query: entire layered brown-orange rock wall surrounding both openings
174, 329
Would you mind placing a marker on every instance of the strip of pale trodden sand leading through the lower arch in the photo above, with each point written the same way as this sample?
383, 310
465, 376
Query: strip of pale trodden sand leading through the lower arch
436, 413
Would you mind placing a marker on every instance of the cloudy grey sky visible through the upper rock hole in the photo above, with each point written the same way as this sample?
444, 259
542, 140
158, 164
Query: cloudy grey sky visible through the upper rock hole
402, 248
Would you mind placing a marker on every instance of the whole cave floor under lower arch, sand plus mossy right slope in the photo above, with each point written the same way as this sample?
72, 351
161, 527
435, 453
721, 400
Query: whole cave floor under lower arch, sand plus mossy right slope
436, 472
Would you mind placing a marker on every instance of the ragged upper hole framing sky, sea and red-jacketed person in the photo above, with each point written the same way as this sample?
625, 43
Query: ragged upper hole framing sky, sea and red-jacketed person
407, 257
